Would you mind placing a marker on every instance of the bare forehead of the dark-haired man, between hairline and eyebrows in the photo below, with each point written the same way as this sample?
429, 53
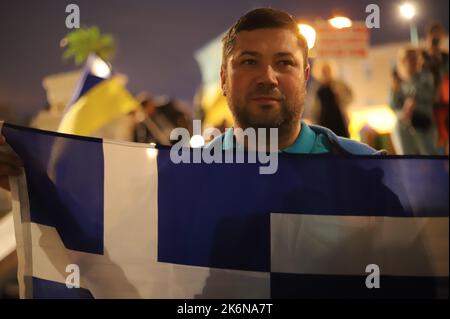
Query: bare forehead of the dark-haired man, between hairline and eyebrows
271, 40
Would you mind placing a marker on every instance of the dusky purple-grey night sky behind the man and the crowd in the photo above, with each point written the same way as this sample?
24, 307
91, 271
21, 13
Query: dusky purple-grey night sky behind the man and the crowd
156, 39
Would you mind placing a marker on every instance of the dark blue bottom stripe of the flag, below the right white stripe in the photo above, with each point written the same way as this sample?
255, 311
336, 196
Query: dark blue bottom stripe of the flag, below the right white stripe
284, 285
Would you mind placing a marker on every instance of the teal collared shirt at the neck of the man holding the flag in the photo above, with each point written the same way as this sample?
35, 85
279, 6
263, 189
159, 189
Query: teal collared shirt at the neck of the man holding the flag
307, 142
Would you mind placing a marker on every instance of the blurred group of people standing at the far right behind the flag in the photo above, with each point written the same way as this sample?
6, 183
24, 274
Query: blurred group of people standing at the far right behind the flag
419, 97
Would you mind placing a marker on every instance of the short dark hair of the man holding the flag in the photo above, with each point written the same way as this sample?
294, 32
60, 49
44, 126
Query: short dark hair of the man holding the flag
259, 19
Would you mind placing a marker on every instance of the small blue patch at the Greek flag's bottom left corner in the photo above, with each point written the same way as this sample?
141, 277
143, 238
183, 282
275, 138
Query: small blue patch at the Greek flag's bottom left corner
47, 289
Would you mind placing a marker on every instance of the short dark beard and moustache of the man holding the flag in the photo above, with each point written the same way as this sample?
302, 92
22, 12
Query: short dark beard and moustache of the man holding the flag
284, 117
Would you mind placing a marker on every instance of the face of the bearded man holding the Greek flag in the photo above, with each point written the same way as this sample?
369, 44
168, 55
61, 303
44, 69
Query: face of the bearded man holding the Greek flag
264, 79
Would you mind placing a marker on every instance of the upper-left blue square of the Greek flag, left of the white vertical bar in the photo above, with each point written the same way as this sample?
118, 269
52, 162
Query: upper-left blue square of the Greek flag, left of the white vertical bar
65, 184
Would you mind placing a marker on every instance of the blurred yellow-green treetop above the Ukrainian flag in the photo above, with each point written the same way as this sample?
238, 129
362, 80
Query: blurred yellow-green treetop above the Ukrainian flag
84, 41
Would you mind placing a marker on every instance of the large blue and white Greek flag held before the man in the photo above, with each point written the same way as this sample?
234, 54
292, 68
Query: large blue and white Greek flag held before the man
129, 223
